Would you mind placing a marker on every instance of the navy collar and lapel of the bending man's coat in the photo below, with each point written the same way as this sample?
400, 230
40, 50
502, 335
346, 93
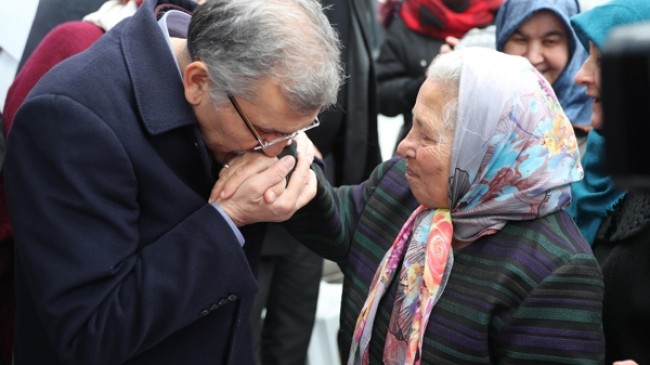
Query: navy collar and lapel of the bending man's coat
159, 95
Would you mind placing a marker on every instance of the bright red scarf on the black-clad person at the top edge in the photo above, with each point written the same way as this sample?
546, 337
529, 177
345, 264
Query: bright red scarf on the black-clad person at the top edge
442, 18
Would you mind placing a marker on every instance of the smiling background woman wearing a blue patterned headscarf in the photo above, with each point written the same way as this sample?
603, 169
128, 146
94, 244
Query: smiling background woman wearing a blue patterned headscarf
540, 30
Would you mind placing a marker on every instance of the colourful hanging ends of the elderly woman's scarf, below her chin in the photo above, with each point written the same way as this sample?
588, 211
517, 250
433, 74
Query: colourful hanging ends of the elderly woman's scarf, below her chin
425, 269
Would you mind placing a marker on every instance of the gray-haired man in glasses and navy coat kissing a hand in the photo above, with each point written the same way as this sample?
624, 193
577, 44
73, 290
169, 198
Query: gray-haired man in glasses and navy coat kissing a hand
121, 255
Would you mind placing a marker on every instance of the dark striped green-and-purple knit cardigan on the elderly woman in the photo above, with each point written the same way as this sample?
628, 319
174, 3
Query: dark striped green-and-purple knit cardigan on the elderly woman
531, 294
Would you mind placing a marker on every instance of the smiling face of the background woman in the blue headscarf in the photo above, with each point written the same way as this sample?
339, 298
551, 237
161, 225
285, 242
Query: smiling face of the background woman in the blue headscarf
544, 41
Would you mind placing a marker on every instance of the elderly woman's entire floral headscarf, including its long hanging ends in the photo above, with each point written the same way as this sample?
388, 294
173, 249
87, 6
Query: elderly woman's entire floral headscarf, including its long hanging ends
514, 156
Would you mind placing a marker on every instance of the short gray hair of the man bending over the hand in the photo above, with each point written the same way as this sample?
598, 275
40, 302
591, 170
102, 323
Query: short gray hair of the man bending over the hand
289, 41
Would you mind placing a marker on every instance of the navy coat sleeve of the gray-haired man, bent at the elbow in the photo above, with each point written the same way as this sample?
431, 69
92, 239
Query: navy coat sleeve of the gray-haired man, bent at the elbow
75, 196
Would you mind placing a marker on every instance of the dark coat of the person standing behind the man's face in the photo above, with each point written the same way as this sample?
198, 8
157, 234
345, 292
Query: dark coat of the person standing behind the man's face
348, 131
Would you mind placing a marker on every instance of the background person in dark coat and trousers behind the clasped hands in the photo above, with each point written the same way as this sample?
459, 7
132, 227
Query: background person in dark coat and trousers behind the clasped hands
347, 139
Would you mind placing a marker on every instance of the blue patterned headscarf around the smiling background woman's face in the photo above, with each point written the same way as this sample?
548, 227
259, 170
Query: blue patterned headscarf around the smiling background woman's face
513, 13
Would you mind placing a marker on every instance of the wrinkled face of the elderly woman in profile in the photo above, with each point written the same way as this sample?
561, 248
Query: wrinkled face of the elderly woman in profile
427, 148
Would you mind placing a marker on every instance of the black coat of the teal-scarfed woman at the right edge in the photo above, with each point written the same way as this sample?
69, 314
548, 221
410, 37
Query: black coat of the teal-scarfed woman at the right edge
622, 247
